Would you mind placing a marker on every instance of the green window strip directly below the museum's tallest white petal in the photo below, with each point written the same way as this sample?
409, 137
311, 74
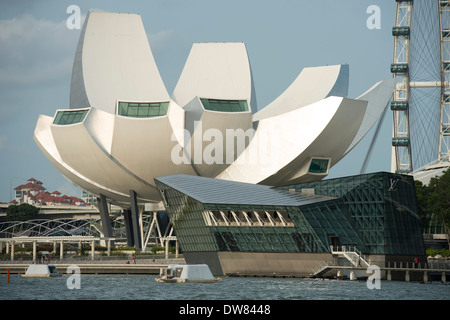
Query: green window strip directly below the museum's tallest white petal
143, 110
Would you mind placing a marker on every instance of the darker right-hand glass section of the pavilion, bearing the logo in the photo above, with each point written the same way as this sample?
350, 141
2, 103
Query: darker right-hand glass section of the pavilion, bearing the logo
382, 207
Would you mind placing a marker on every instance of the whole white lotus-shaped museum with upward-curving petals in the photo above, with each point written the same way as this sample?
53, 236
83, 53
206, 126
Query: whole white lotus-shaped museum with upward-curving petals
123, 129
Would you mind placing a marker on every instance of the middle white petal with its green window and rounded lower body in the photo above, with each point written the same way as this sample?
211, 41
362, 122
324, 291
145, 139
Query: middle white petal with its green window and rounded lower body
215, 89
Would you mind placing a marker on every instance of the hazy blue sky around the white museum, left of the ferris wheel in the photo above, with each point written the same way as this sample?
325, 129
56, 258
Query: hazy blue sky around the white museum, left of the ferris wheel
281, 36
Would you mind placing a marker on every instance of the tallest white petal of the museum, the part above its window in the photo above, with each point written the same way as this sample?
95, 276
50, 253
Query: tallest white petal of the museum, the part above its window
114, 61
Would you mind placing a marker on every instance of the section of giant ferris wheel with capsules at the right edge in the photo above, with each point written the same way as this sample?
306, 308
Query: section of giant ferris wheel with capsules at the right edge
421, 100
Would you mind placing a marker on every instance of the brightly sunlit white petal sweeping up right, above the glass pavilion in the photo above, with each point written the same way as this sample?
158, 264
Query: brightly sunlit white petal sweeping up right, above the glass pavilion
283, 144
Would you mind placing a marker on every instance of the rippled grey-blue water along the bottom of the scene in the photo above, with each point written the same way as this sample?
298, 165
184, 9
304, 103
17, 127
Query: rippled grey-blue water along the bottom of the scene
144, 287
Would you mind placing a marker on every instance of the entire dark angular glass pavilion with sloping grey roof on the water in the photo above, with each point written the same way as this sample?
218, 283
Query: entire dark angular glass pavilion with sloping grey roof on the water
240, 228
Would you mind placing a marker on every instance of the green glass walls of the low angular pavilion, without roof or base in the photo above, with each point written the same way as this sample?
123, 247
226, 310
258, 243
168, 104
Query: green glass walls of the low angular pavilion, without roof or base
376, 213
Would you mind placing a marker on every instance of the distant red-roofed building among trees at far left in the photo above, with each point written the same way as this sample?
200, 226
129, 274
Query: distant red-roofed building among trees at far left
34, 193
